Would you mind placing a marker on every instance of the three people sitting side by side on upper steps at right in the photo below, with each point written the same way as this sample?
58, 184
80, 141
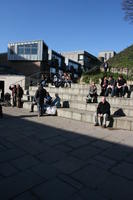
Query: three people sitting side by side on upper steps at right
114, 87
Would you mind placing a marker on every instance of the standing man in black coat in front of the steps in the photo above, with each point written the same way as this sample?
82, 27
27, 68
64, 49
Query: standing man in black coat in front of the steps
39, 96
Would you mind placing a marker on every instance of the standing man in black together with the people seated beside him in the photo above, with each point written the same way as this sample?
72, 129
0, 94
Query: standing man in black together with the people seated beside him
44, 101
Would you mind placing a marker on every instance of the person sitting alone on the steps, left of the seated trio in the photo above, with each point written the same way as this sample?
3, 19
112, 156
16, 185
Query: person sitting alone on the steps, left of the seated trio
92, 96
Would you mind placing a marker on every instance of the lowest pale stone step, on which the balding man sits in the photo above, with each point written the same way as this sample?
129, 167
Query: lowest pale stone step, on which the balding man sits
125, 123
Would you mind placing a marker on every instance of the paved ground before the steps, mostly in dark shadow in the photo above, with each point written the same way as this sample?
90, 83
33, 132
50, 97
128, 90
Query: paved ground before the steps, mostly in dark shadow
51, 158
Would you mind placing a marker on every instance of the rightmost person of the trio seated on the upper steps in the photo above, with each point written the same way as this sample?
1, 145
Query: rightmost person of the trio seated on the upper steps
121, 87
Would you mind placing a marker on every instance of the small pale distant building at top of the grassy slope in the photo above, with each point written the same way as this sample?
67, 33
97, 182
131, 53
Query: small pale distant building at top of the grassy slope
106, 55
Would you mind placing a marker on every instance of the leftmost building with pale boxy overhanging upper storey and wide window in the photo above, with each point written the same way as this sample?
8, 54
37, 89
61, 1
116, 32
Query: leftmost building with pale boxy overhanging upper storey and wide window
28, 57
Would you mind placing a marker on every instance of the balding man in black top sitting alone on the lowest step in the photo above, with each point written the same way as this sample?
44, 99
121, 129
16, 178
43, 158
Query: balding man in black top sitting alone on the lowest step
103, 113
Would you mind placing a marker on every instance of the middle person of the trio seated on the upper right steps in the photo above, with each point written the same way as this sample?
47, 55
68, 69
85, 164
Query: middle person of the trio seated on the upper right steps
111, 86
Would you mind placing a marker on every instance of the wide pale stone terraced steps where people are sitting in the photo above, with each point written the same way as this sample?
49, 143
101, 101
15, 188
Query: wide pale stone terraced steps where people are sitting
79, 110
